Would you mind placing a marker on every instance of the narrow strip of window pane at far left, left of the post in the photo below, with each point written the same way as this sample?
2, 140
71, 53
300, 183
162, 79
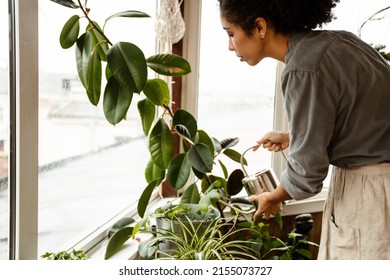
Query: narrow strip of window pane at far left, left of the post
4, 131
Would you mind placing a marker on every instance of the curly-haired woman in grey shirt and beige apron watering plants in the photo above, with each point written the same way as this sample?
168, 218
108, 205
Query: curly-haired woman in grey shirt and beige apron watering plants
336, 90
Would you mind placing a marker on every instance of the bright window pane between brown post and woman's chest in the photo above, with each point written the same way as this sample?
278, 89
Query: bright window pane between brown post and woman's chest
235, 99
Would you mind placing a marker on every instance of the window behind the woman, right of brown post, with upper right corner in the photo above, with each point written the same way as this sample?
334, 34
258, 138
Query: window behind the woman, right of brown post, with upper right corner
237, 100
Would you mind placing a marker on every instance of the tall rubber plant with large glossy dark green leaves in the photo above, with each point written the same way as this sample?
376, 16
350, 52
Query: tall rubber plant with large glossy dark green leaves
125, 68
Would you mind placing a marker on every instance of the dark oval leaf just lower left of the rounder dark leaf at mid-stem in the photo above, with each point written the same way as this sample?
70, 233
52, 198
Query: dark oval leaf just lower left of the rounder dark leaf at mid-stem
179, 170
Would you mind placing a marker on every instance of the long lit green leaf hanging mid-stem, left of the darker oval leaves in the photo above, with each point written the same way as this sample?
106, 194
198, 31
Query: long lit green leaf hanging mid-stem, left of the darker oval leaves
161, 144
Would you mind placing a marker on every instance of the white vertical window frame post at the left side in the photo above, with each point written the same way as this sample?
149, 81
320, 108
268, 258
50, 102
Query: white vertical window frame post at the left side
23, 184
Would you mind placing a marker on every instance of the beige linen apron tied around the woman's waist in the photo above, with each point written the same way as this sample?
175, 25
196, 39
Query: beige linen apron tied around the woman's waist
356, 217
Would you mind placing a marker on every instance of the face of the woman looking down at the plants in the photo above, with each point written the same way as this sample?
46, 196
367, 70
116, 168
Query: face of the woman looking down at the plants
247, 48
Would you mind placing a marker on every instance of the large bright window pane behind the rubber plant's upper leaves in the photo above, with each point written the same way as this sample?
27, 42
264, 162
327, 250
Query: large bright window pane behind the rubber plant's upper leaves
89, 169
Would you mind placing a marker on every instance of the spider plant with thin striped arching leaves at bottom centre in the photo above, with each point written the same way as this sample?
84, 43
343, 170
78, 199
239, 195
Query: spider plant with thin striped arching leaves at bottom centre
215, 240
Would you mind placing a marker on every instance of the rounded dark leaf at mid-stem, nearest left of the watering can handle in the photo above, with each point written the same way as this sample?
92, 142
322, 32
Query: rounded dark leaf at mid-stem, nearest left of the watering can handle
201, 158
